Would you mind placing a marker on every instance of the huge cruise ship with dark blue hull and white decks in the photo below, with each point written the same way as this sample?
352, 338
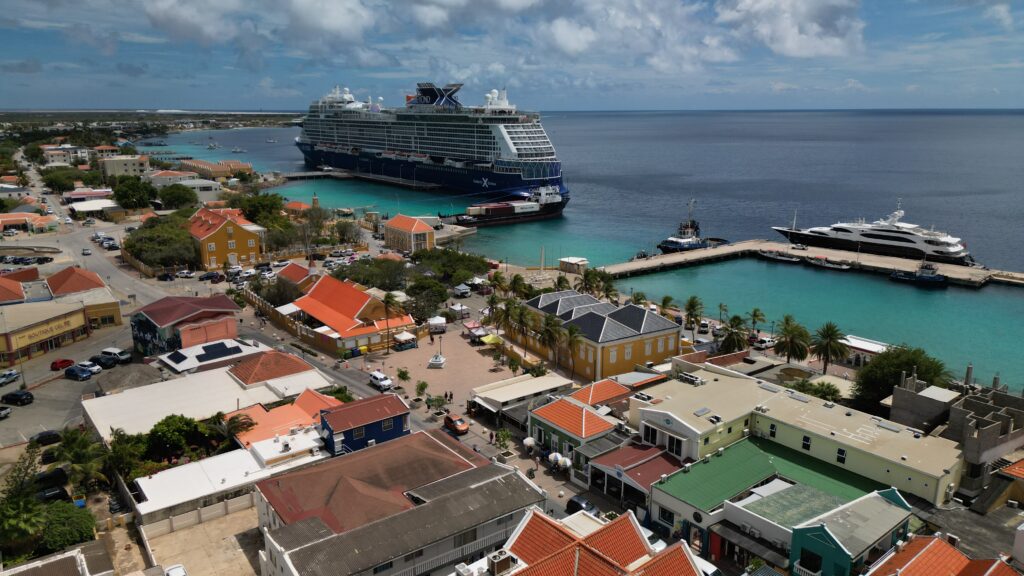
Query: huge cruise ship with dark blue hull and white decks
491, 152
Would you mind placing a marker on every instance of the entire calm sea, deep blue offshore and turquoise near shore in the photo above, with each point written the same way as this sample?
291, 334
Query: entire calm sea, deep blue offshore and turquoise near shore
632, 174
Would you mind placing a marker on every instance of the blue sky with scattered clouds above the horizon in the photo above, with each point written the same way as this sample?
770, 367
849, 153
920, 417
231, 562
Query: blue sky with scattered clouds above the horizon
566, 55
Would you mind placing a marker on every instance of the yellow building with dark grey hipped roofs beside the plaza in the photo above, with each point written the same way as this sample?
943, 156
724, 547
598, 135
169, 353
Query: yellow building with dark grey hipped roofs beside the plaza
616, 339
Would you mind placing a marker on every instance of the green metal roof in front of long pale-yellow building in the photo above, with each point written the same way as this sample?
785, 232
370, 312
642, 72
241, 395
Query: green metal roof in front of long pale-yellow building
750, 463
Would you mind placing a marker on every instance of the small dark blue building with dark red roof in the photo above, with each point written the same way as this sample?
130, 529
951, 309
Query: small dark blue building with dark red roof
364, 423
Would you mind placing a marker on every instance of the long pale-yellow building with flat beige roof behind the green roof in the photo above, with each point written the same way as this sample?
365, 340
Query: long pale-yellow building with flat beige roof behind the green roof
709, 408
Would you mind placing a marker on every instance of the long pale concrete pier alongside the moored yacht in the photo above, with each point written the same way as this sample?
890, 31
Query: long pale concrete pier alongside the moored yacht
859, 261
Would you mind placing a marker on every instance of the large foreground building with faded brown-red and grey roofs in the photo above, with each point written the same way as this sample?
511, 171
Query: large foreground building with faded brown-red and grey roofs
413, 506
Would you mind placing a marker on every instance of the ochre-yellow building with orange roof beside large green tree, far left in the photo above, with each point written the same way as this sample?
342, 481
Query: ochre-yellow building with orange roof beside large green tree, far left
224, 235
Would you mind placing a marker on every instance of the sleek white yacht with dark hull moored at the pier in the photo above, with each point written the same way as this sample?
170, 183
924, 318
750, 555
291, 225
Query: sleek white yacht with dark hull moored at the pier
888, 237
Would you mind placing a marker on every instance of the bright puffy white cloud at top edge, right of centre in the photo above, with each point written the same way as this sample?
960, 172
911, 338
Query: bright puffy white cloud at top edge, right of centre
797, 28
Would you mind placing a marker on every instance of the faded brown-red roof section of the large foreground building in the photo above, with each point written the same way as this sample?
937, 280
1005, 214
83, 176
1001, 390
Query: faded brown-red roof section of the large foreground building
379, 476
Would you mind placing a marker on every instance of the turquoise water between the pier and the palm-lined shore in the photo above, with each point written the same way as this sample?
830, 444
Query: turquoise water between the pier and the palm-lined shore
959, 325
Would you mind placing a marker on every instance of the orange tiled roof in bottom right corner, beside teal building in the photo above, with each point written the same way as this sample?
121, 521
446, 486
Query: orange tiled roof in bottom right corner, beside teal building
930, 556
